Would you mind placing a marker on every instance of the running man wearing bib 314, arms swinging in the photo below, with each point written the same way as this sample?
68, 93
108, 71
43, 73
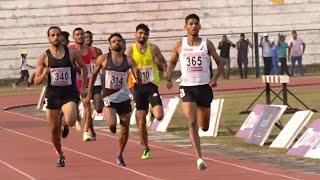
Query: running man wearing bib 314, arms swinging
115, 89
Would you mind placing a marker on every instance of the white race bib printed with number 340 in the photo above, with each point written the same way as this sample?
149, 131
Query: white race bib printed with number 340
60, 76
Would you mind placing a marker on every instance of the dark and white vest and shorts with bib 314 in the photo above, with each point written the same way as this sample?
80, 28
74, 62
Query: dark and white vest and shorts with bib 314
115, 91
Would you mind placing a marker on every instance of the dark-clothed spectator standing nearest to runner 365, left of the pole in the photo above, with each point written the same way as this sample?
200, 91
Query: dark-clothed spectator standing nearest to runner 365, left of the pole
224, 46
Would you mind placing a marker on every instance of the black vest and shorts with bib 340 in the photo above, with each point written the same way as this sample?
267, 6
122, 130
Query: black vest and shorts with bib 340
61, 84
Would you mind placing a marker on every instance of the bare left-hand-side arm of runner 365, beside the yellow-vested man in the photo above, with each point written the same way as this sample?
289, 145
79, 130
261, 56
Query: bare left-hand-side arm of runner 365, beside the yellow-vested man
172, 63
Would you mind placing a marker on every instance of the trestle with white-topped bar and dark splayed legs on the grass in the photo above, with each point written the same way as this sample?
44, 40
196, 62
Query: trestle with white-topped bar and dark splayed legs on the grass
277, 79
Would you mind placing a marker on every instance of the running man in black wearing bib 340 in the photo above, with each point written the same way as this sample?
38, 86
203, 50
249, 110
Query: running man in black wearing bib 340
62, 94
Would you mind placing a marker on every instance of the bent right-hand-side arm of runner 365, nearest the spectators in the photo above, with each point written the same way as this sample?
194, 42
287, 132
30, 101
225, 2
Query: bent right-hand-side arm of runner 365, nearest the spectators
212, 52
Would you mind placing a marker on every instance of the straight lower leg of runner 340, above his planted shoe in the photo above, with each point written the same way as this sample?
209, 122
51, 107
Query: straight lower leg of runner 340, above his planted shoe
52, 116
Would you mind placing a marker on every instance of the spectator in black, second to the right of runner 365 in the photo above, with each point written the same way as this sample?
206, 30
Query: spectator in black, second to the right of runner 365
242, 46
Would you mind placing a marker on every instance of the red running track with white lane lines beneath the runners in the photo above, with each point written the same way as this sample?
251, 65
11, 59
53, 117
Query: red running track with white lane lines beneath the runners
26, 153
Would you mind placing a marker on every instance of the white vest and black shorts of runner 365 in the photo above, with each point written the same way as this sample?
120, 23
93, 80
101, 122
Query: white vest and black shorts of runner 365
195, 73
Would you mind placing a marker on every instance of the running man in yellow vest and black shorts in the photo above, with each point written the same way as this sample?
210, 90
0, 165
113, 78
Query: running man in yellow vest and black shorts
150, 61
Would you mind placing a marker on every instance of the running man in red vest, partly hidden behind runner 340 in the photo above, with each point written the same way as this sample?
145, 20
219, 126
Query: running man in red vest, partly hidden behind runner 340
88, 54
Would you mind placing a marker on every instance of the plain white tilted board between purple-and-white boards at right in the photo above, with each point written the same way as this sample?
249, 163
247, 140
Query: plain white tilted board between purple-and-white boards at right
292, 129
